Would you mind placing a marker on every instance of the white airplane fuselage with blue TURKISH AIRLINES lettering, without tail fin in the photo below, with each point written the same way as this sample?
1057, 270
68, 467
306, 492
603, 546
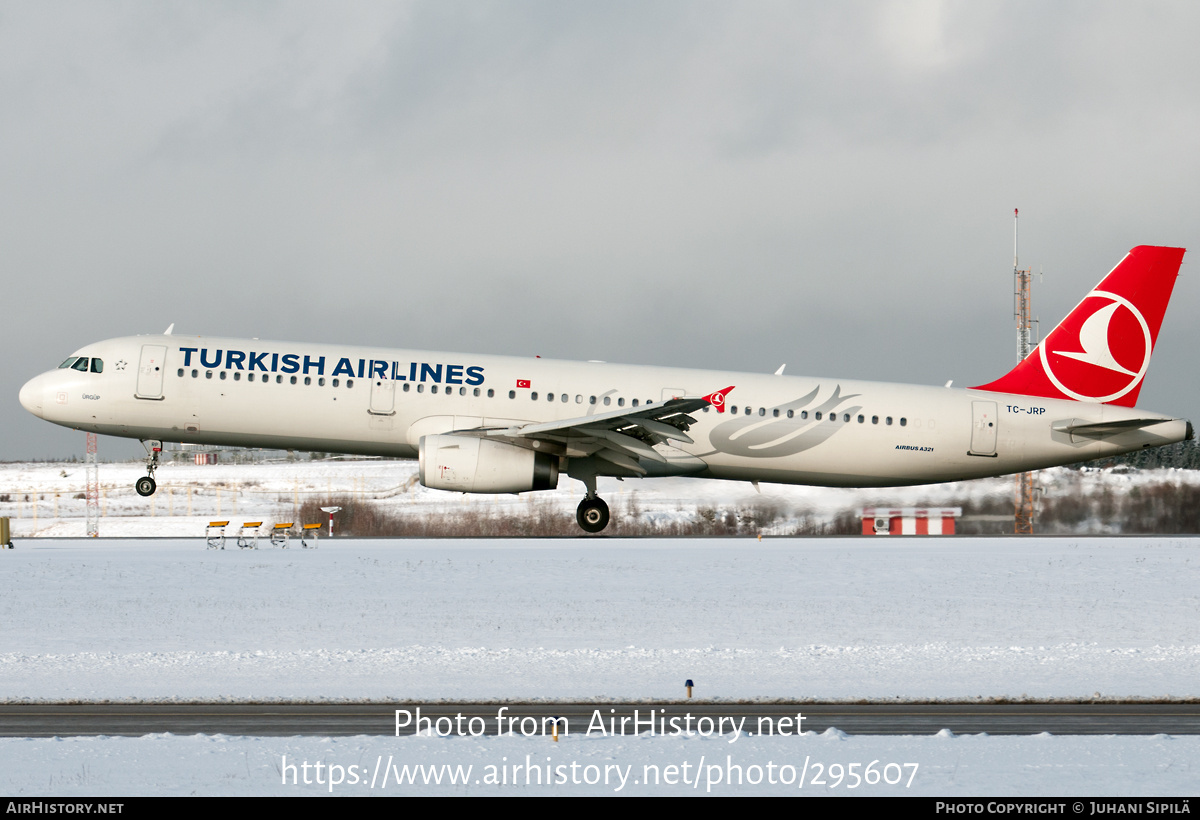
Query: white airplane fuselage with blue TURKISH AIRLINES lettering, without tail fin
783, 429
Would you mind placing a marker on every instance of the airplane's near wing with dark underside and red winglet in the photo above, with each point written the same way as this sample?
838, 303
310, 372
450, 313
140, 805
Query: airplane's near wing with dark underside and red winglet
622, 438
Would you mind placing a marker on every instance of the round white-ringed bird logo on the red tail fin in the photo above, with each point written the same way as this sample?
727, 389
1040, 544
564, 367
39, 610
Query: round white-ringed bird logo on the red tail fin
1093, 369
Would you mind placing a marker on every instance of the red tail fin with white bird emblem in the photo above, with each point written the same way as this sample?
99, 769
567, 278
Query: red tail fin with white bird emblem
1101, 352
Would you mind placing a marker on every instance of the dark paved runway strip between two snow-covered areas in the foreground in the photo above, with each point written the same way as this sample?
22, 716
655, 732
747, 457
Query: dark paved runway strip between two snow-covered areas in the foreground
675, 717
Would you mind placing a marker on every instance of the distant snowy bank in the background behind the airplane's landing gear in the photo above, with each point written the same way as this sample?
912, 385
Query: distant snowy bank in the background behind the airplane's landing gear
47, 500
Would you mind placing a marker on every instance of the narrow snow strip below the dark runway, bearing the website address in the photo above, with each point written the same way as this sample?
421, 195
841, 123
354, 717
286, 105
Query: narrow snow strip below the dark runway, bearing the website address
830, 765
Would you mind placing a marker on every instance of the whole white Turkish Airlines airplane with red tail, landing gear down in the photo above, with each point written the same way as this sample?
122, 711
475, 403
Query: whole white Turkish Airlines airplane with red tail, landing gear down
496, 424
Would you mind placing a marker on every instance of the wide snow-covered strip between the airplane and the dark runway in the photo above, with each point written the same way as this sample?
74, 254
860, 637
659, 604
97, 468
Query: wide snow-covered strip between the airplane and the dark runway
583, 619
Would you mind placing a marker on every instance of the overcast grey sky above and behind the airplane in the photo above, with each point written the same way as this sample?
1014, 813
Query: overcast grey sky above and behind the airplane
728, 185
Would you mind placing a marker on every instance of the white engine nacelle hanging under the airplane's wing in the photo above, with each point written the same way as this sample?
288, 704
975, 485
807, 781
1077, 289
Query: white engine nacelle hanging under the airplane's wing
469, 464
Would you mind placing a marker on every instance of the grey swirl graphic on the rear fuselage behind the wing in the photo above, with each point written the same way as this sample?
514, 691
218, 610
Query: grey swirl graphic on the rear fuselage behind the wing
773, 438
